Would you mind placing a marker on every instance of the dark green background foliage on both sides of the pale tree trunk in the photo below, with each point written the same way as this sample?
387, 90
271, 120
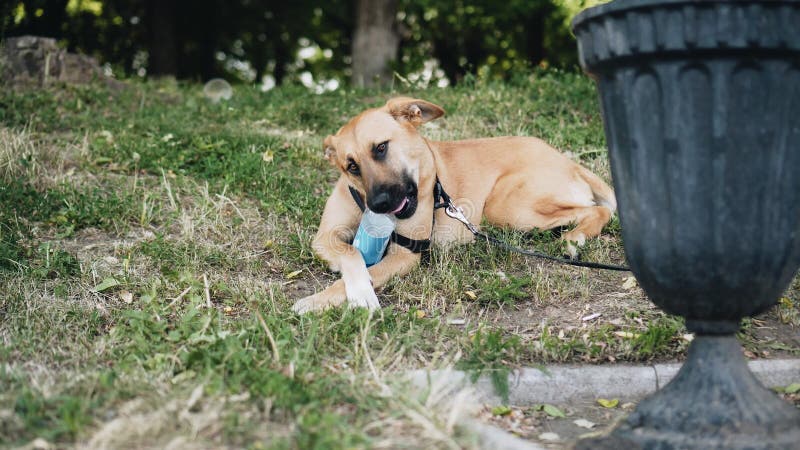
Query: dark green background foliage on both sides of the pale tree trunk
245, 40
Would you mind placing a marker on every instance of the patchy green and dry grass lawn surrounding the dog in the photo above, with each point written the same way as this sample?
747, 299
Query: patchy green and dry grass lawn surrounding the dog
186, 204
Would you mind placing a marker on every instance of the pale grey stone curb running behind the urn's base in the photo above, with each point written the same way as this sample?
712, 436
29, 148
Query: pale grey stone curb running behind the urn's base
564, 384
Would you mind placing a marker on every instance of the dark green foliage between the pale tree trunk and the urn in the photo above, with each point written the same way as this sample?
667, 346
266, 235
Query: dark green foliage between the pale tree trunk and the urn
486, 37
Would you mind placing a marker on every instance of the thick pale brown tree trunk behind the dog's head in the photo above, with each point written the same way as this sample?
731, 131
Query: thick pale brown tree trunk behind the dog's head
375, 42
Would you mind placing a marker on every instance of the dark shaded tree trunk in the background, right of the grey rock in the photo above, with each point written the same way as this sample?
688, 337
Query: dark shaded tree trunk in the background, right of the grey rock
162, 48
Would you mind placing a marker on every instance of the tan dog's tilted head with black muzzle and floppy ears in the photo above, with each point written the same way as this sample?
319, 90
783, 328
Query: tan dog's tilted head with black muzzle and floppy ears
383, 155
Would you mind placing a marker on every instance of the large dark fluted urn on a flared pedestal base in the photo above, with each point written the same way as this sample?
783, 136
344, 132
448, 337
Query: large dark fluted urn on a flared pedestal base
701, 104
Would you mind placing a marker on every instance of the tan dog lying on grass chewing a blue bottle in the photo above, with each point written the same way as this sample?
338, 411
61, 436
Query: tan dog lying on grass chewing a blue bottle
388, 166
